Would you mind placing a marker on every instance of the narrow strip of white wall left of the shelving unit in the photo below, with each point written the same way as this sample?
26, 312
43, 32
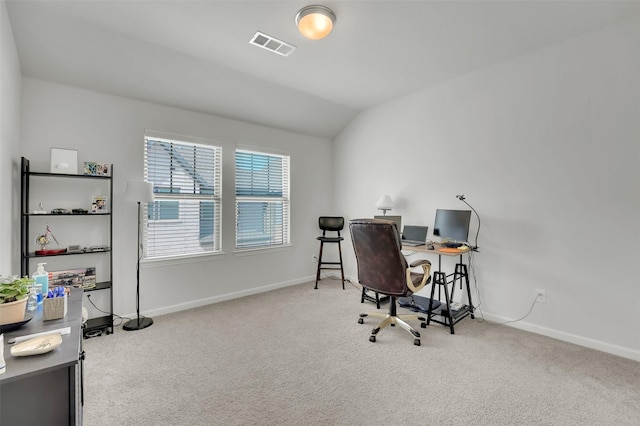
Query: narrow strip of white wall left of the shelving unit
10, 81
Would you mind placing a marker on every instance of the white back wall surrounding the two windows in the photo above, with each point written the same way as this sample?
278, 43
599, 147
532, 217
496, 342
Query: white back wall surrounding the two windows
110, 129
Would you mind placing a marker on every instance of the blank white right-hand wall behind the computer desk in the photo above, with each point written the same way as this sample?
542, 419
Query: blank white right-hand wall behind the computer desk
546, 148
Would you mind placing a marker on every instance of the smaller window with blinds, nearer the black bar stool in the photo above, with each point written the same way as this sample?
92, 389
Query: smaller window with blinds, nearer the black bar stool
262, 199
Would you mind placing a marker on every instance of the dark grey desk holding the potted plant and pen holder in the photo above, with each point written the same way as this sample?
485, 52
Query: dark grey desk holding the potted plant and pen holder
45, 389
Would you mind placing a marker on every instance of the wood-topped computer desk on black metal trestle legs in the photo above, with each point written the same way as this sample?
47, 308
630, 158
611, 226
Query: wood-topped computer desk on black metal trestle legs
442, 280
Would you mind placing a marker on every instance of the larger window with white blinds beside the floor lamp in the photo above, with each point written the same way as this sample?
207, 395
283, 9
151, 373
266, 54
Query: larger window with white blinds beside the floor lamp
184, 218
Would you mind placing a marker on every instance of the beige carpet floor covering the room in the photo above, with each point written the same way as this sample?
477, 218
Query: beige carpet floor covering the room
297, 356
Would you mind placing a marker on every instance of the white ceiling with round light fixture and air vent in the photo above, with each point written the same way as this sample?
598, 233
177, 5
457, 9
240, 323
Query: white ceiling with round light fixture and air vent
196, 54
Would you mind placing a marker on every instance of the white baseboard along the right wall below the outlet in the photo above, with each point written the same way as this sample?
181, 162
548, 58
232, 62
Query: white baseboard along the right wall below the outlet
568, 337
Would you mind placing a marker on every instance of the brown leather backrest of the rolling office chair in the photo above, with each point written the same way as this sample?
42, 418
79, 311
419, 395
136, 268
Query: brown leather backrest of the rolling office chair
381, 265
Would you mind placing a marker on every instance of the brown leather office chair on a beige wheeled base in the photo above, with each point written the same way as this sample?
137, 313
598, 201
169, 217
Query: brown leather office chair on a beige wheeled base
382, 268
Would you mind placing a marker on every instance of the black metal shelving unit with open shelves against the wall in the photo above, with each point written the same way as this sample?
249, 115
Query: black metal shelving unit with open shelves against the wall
102, 323
